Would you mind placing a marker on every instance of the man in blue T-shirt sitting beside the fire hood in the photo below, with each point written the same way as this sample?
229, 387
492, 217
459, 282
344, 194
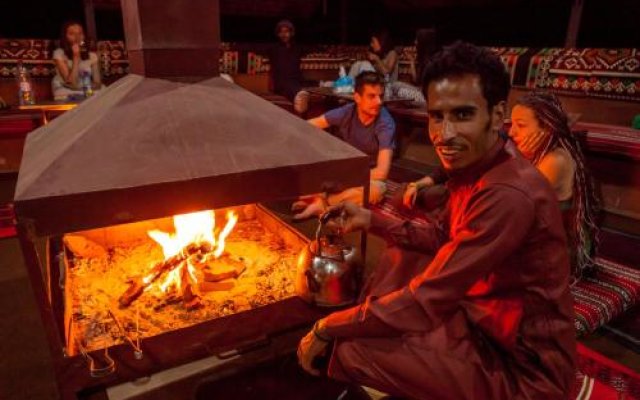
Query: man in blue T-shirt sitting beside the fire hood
366, 125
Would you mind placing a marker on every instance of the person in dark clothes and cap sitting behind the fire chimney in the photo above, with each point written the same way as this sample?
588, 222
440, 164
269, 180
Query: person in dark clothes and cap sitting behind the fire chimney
286, 75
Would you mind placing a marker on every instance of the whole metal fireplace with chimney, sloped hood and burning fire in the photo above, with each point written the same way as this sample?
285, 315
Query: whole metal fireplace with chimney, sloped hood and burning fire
126, 289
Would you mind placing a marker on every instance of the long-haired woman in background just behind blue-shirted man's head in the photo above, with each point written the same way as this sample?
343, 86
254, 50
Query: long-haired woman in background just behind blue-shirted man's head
382, 58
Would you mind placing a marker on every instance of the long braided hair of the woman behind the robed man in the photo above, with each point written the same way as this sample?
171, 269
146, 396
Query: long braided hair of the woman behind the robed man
583, 236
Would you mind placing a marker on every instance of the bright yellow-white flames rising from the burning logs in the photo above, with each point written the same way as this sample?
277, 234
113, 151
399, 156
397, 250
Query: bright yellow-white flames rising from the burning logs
196, 228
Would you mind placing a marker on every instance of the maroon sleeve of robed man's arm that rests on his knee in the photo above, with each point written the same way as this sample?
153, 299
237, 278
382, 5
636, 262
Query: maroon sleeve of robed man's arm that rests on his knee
494, 225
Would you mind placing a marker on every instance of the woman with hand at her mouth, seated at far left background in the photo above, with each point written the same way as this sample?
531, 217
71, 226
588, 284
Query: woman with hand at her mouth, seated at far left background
73, 60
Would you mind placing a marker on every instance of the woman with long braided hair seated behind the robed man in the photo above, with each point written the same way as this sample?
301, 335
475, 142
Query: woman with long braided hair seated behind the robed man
541, 132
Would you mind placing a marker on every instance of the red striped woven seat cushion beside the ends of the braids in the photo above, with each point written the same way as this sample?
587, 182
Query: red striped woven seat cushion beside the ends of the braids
603, 294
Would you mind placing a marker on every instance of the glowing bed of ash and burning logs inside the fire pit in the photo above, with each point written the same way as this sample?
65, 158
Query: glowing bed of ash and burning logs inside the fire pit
143, 279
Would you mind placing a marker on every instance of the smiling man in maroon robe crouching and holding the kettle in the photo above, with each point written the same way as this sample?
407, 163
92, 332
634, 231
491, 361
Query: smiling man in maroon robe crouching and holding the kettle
490, 315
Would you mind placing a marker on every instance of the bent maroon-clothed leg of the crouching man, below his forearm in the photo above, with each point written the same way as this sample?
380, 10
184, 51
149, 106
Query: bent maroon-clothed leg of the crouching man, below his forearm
447, 363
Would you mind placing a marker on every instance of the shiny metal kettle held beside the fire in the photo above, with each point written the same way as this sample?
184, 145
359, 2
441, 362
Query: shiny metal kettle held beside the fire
328, 272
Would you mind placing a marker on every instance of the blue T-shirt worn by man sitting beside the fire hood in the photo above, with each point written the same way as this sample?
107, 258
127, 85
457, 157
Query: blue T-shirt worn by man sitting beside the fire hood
368, 139
